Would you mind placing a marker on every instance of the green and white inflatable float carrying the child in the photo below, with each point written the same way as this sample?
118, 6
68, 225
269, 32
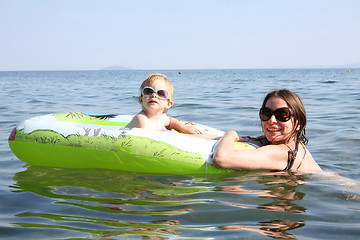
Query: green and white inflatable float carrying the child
85, 140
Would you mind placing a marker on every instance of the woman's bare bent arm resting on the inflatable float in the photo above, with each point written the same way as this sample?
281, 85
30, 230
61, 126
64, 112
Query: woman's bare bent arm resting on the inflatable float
272, 157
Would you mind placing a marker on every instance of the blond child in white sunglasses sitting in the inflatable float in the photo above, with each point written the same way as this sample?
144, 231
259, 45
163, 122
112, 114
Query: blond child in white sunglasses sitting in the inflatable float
156, 97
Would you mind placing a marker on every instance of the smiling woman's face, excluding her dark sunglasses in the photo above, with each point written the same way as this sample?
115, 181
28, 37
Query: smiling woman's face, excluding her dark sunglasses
274, 130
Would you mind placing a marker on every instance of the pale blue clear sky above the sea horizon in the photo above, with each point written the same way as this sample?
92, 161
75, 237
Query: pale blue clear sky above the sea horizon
186, 34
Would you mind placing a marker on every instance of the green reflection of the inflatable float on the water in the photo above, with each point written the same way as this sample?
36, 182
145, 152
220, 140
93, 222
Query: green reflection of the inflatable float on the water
118, 197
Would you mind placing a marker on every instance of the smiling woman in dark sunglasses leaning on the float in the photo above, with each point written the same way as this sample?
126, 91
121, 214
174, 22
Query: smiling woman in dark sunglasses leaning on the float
282, 148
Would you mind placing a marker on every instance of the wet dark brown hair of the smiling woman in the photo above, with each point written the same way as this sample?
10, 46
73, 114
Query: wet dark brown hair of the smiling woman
297, 107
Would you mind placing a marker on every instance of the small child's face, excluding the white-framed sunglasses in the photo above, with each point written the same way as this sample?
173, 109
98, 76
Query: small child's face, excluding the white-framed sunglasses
153, 102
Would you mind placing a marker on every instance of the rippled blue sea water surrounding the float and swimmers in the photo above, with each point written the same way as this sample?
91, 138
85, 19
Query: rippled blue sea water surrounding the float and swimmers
53, 203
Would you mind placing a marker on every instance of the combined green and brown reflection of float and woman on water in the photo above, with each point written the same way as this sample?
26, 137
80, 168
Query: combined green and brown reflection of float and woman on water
113, 204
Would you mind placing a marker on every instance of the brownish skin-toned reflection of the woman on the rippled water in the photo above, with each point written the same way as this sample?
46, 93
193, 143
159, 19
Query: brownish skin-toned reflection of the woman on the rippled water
280, 188
